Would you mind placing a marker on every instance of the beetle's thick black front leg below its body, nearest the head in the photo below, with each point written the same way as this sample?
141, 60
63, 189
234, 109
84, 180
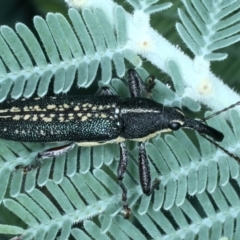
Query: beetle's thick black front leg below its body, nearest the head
144, 172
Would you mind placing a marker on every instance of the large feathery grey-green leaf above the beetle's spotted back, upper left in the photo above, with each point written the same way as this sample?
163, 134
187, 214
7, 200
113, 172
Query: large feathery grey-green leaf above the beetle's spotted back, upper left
69, 49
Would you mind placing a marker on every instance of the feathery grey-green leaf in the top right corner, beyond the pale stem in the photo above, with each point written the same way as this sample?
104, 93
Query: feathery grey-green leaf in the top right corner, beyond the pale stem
211, 26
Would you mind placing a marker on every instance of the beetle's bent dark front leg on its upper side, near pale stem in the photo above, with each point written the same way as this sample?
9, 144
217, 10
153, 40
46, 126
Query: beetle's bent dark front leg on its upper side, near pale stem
136, 84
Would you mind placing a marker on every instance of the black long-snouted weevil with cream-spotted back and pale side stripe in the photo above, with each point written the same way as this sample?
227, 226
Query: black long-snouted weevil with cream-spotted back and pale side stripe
95, 120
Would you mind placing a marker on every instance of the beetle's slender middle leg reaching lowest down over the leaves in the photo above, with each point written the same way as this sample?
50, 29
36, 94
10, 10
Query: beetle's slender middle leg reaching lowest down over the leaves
122, 167
